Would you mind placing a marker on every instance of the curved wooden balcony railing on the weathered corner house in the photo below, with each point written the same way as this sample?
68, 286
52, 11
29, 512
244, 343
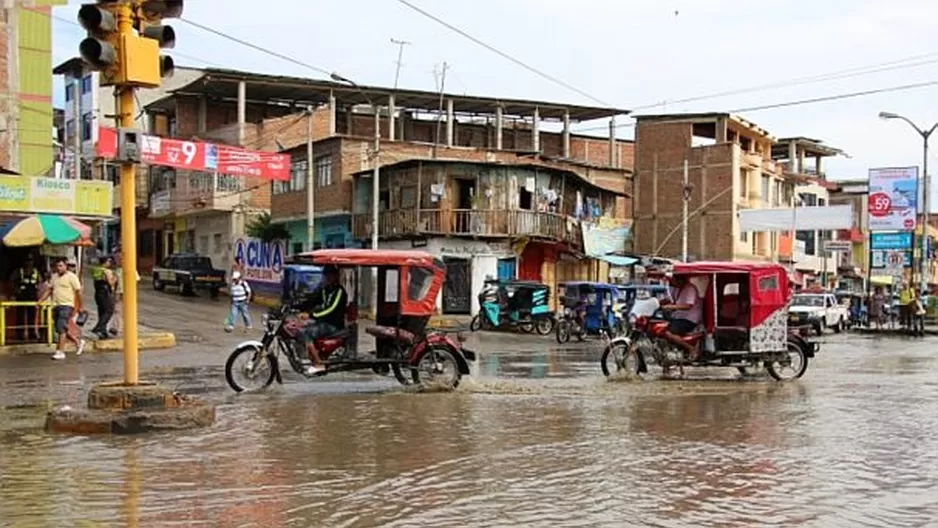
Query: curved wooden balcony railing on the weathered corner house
470, 223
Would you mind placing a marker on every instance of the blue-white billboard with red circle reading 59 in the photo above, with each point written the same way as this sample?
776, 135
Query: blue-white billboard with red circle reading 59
893, 199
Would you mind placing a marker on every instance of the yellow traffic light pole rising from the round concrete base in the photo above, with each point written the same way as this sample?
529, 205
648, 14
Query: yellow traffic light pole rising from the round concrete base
128, 177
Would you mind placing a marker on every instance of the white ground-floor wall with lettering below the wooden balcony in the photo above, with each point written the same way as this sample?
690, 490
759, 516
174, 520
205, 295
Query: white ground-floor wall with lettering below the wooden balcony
483, 256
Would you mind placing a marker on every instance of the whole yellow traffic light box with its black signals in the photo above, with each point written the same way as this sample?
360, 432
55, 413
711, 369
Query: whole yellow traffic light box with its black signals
125, 57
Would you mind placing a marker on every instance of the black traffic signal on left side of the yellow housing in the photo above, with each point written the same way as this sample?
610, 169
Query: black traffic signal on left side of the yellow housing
100, 49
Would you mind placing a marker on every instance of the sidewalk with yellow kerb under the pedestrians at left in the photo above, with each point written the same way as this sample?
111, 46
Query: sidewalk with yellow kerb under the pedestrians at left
148, 338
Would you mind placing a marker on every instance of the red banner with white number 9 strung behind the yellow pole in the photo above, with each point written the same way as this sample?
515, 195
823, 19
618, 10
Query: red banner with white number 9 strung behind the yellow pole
201, 156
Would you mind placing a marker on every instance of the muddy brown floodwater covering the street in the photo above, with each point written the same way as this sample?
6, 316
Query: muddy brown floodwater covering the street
537, 438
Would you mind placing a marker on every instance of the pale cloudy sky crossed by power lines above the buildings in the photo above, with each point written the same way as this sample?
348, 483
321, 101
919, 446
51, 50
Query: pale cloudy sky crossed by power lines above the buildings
647, 55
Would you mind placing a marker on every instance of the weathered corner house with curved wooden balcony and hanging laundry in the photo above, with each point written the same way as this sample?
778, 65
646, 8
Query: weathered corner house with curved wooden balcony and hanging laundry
521, 220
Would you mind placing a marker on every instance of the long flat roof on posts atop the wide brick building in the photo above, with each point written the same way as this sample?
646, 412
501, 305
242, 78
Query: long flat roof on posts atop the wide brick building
300, 91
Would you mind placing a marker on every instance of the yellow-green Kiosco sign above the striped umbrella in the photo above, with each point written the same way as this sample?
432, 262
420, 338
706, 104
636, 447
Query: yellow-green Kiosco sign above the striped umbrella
27, 194
